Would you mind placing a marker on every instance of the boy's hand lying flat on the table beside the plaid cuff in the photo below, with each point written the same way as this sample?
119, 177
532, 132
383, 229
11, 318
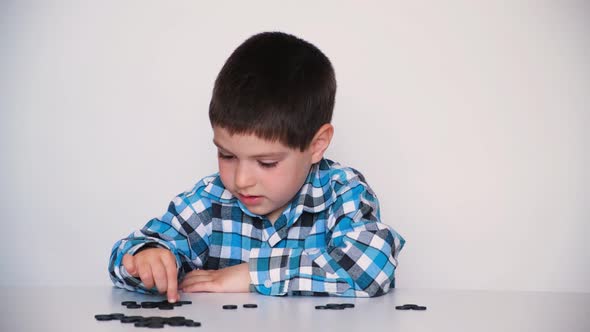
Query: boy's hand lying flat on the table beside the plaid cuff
233, 279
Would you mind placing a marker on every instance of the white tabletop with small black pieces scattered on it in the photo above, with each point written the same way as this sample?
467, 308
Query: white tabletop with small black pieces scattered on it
73, 309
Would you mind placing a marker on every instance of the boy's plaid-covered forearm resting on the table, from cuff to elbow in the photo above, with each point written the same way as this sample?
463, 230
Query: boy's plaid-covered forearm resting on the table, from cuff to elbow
355, 269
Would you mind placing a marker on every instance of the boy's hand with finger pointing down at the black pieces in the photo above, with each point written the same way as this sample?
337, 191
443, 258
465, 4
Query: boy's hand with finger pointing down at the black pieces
155, 266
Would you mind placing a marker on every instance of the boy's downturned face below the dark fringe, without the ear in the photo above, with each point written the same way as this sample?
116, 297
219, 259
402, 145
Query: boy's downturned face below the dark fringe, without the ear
263, 175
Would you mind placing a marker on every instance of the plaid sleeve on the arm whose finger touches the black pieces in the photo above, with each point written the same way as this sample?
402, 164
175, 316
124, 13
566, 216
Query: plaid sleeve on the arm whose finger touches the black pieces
179, 230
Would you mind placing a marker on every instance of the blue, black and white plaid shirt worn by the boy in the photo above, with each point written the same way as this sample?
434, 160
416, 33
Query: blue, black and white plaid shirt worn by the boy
328, 241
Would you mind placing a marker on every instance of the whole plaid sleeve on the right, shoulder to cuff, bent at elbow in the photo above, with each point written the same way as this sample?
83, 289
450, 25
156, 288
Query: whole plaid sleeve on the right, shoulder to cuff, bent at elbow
359, 260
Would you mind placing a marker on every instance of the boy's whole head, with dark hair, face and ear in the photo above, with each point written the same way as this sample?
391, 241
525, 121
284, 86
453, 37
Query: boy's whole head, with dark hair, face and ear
270, 111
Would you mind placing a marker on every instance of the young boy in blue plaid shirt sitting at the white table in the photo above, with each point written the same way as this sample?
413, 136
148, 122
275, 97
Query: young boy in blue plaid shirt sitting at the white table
278, 218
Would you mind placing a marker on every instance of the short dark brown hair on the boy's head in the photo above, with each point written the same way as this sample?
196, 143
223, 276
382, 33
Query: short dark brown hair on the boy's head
277, 87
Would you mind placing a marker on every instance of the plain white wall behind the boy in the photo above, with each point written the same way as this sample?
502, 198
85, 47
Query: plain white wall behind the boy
470, 121
